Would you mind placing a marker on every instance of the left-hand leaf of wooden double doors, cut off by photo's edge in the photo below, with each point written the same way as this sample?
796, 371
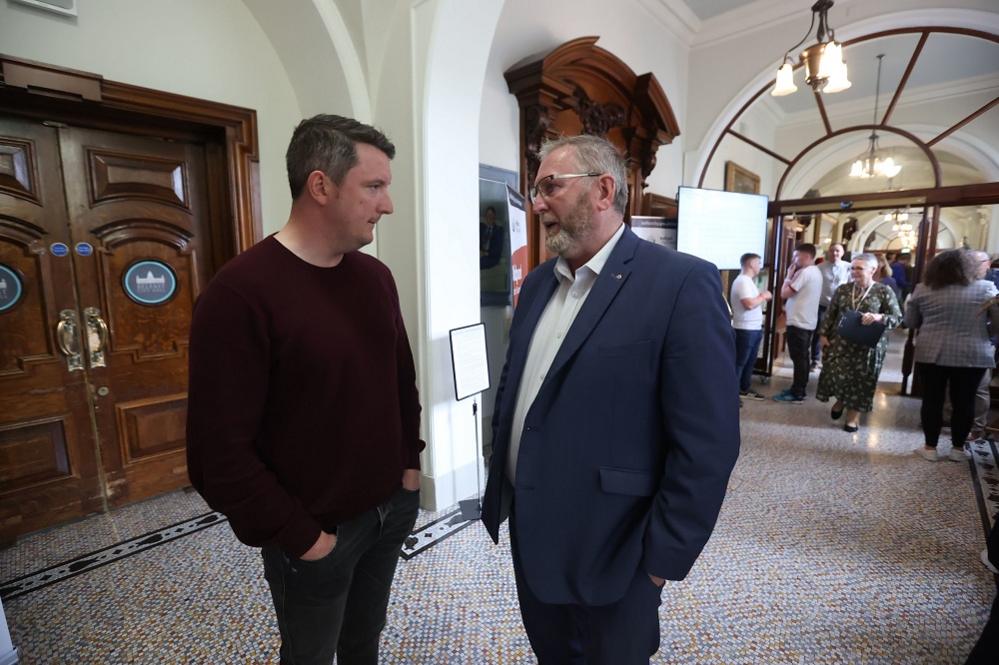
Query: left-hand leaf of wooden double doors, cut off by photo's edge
48, 466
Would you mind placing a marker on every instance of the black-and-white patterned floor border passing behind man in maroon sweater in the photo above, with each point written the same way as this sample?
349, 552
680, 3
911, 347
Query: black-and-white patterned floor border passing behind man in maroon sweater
422, 539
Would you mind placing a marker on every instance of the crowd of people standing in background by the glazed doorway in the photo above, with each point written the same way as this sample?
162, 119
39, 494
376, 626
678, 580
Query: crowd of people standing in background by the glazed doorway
838, 315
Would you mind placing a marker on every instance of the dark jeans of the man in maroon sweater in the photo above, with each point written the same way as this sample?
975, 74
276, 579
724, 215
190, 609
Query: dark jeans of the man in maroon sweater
337, 605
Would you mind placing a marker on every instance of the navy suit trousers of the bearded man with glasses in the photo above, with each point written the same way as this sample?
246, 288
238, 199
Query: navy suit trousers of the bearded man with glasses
622, 633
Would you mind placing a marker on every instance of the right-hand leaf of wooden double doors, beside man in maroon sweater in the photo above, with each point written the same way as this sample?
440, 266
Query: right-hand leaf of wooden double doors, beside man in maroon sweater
139, 203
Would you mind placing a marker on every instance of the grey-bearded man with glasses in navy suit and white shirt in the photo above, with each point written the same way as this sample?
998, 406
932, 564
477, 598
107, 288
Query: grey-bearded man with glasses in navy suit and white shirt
616, 422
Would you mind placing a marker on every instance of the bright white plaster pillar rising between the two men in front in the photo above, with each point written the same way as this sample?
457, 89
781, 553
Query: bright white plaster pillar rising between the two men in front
459, 43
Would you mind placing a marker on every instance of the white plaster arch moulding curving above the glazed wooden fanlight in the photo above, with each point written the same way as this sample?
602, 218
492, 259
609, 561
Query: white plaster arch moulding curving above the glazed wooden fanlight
957, 18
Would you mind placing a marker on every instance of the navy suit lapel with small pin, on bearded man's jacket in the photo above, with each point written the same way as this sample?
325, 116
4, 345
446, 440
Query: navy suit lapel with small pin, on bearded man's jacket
610, 280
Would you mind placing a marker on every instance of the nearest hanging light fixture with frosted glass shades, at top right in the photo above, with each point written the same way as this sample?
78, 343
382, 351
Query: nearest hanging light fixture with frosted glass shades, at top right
825, 70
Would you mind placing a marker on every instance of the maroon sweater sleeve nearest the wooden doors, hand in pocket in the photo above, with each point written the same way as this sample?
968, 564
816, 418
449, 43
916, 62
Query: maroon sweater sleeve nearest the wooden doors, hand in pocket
229, 359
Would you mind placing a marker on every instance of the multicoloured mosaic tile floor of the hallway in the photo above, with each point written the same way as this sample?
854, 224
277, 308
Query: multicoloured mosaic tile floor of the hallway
831, 548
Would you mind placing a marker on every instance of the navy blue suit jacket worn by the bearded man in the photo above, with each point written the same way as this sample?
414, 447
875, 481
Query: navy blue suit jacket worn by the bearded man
627, 449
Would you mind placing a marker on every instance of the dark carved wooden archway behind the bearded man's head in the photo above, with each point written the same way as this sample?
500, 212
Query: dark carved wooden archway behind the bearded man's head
579, 88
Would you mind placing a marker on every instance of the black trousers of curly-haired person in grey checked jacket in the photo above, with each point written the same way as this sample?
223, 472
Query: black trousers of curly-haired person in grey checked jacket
963, 382
